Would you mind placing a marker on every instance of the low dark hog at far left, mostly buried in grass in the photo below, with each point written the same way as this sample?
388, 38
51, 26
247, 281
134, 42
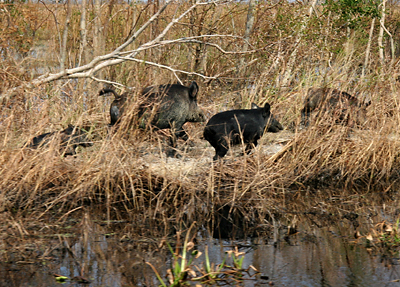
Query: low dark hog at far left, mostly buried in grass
68, 140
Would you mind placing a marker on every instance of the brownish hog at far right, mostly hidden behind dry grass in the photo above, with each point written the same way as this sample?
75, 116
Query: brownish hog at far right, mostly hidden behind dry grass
345, 108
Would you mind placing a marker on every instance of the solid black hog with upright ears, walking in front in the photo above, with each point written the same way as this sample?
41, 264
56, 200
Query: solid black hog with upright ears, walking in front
230, 127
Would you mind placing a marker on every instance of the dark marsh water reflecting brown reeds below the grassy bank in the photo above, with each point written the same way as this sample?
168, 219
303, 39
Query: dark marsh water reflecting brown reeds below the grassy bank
311, 256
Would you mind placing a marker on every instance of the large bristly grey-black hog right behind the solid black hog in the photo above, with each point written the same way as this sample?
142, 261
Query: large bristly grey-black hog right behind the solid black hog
170, 107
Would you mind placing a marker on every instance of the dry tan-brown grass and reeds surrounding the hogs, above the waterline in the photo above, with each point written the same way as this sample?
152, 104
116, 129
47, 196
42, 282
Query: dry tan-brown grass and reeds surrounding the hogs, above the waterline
126, 172
